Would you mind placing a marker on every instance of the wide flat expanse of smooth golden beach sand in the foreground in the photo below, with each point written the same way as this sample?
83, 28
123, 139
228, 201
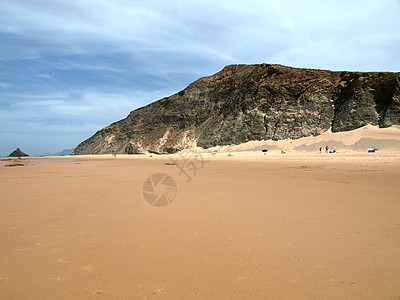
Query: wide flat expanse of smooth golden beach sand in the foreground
284, 227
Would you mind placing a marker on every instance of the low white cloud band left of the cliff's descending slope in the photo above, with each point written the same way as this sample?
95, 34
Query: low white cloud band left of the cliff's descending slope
74, 107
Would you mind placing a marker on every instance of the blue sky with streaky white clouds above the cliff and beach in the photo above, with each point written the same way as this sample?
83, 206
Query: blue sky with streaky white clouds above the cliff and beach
70, 68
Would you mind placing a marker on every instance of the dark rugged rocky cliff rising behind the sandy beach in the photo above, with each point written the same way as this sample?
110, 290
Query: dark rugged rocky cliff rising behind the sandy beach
254, 102
